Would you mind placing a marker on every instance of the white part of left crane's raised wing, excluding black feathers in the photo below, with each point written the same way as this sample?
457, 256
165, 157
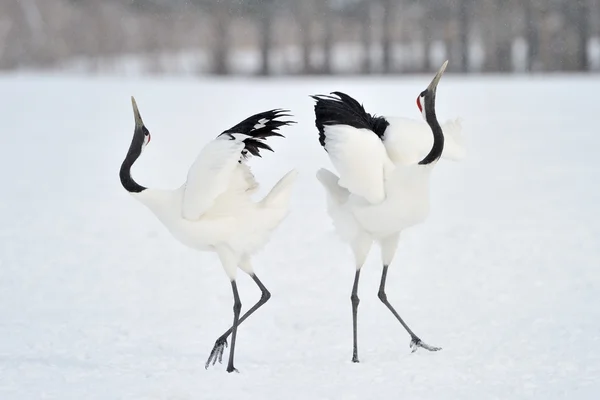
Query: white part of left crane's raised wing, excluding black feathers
210, 175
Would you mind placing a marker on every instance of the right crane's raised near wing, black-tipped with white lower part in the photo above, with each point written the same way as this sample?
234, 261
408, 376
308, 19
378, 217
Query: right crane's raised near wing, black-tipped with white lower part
352, 139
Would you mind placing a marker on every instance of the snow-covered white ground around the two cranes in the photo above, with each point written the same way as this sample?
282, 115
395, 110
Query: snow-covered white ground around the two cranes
98, 301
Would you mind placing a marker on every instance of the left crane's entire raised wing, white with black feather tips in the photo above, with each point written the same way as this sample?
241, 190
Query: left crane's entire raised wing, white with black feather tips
213, 171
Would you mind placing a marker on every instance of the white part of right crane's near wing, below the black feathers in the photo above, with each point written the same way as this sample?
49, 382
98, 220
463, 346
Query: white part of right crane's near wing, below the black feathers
361, 160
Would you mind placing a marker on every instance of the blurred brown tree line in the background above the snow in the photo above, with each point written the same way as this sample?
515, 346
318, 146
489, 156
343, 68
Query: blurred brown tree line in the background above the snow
300, 36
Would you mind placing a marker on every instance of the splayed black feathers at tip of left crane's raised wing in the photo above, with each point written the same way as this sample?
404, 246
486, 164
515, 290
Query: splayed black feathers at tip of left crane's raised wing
269, 126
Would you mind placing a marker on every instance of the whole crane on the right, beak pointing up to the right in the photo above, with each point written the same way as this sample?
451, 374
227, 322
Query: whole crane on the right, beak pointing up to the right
382, 186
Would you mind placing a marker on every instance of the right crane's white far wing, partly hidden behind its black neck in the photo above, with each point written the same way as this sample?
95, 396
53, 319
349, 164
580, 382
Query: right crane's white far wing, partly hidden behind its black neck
408, 141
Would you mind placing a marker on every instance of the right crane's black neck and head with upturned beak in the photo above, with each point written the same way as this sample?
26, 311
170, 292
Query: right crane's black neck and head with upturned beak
426, 104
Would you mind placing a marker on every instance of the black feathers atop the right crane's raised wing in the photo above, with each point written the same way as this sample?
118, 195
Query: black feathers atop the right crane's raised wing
344, 110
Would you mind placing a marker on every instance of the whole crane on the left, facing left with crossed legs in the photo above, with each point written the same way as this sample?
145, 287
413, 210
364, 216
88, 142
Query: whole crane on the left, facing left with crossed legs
213, 210
